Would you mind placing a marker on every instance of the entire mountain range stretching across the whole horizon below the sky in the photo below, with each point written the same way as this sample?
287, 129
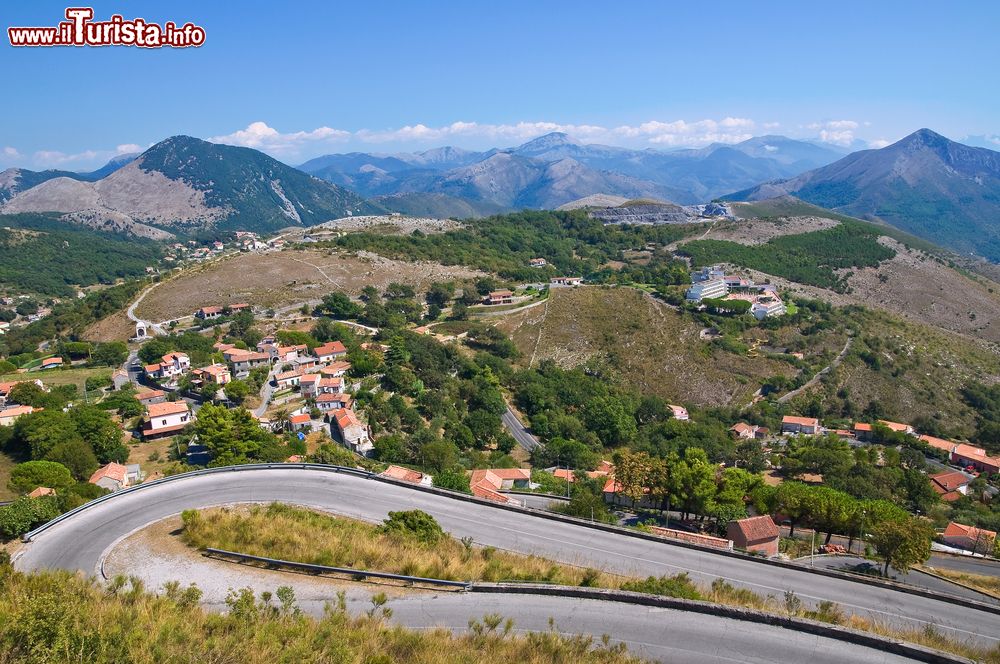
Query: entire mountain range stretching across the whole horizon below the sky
924, 184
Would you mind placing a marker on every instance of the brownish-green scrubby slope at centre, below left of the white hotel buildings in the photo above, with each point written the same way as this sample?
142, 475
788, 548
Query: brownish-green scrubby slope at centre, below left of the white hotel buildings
652, 347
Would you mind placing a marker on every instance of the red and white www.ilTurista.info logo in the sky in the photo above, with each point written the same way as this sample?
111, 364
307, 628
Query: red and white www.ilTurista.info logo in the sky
81, 30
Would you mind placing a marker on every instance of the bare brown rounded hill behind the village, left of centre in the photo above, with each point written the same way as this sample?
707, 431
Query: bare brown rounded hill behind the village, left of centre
284, 279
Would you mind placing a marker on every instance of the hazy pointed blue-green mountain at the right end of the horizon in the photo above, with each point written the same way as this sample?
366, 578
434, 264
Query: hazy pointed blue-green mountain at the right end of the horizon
924, 184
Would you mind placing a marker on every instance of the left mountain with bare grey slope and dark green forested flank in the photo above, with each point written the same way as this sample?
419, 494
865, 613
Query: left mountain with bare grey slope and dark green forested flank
183, 184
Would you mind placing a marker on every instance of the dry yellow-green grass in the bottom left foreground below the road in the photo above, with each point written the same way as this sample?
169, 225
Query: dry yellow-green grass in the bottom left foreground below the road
60, 617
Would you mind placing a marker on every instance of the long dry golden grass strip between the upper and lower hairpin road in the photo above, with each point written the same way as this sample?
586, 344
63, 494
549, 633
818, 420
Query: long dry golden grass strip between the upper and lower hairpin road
292, 533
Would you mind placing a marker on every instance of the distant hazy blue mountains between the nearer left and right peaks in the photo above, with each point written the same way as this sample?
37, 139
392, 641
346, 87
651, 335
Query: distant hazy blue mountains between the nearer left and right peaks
555, 169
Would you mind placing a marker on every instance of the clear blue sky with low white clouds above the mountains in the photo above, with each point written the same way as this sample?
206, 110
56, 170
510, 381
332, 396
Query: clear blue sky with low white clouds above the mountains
308, 78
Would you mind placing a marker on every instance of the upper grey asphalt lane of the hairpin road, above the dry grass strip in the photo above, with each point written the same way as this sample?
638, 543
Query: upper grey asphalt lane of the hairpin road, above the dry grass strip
80, 542
